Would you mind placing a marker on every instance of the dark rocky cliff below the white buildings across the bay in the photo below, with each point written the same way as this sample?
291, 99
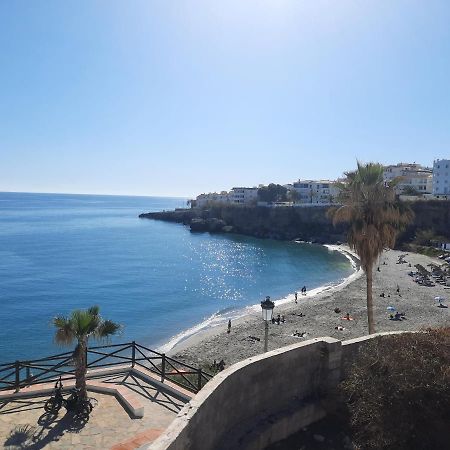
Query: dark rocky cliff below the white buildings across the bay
307, 223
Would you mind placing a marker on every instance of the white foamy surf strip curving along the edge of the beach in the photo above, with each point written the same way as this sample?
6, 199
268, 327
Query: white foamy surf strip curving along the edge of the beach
216, 323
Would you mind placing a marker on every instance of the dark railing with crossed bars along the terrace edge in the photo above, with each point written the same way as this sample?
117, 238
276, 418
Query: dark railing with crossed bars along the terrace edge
19, 374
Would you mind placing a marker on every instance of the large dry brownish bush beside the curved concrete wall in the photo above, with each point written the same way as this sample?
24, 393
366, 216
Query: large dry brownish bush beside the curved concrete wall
398, 392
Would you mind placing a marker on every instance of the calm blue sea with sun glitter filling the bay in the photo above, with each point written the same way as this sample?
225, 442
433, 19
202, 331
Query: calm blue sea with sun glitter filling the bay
62, 252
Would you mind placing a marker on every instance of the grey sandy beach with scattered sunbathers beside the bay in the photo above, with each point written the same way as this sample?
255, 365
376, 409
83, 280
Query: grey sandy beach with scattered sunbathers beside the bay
320, 319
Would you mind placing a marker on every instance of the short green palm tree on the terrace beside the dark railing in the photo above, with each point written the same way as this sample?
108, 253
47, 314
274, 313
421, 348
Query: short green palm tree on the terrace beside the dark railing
79, 327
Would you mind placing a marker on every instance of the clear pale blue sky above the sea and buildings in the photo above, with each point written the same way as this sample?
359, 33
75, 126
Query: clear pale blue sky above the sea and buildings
183, 97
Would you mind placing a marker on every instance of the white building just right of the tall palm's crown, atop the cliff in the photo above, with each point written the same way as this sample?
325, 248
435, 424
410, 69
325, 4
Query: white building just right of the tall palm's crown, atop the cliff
412, 178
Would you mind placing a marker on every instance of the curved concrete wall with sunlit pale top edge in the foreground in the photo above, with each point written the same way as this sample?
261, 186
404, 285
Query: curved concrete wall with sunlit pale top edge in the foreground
263, 399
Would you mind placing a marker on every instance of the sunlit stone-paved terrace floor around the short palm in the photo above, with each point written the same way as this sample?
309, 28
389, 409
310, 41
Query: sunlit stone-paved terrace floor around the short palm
25, 425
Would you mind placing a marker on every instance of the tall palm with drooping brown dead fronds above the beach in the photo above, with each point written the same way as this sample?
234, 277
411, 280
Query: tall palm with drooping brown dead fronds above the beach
374, 216
